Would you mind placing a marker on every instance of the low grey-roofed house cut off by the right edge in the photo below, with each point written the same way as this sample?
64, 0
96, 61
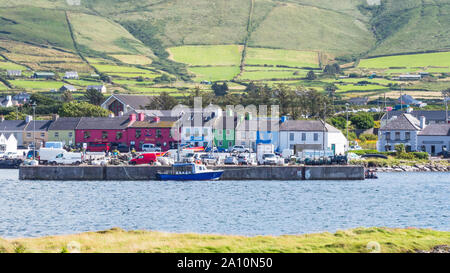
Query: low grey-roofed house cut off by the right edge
434, 138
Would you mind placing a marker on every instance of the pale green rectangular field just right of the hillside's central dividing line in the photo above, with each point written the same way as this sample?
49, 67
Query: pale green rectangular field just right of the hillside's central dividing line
293, 58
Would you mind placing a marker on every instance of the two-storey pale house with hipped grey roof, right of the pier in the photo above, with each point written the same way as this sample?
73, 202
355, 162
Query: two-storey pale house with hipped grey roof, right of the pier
402, 129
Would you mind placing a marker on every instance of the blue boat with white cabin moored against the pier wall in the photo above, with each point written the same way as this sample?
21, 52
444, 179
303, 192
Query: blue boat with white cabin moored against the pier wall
189, 171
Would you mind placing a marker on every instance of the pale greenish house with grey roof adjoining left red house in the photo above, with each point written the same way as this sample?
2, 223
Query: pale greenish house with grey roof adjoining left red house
63, 130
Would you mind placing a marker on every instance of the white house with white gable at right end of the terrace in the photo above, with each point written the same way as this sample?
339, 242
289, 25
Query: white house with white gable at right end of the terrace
301, 135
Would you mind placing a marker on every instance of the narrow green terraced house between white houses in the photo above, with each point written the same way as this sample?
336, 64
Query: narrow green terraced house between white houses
224, 132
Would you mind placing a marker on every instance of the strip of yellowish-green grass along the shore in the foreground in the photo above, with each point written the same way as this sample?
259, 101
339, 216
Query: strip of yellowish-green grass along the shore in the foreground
117, 240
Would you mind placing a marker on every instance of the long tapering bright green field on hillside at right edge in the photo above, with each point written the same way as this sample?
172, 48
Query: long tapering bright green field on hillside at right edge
441, 59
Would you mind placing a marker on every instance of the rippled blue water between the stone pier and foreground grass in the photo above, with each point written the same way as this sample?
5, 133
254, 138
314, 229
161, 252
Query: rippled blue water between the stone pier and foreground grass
37, 208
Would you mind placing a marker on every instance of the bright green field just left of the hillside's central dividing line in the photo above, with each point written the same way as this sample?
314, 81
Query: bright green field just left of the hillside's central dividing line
226, 55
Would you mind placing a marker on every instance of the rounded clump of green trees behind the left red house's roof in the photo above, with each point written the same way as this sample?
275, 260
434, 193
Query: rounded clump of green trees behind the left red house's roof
82, 109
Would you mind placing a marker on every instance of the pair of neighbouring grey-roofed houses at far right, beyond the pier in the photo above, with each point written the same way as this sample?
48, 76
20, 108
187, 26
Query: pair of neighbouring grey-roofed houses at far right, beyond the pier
427, 131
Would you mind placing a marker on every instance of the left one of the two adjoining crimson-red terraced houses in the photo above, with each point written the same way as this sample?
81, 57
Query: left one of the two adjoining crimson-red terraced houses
96, 132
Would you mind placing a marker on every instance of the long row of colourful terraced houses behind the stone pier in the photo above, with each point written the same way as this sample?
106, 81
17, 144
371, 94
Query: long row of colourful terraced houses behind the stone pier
133, 126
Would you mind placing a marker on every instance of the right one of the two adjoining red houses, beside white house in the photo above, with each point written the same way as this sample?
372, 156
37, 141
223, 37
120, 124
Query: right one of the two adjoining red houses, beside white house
154, 130
